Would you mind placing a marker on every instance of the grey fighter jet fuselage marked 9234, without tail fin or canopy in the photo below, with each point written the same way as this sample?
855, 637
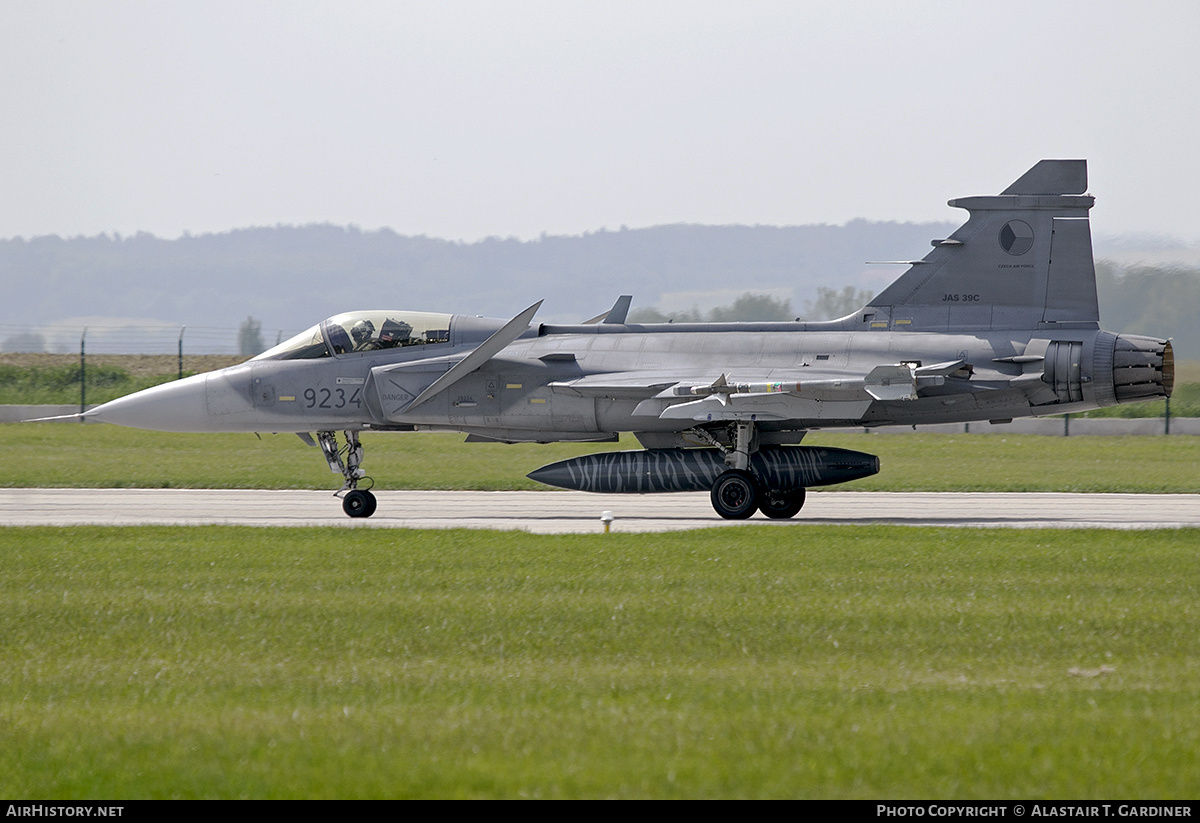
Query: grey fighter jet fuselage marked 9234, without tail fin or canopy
551, 382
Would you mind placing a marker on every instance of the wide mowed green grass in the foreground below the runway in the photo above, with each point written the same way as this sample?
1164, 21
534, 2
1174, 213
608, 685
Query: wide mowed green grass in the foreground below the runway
807, 662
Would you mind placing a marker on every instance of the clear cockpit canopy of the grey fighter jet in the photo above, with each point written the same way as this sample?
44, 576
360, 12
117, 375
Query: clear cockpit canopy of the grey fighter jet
363, 332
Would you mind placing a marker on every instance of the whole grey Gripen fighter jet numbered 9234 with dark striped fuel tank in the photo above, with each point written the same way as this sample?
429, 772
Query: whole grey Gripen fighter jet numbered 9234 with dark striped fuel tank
999, 321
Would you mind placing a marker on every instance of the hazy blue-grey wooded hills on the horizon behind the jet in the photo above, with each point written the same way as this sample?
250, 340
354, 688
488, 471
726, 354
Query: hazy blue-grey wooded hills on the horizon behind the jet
290, 278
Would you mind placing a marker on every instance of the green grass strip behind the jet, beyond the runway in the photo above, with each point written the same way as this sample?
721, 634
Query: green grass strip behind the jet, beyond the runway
98, 456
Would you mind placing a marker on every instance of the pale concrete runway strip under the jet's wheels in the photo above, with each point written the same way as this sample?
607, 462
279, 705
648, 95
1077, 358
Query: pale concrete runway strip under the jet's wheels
567, 513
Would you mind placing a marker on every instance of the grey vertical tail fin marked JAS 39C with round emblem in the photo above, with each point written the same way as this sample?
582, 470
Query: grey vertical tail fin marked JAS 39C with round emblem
1022, 261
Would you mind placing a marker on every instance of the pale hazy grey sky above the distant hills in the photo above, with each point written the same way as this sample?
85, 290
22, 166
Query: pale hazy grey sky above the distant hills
471, 119
